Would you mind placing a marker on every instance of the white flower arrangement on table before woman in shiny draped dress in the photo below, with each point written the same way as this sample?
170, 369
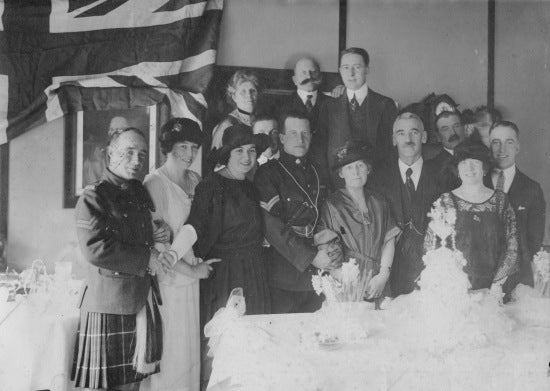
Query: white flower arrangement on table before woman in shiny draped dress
349, 284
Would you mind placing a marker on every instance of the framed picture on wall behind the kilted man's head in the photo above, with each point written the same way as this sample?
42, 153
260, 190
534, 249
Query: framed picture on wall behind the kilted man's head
86, 137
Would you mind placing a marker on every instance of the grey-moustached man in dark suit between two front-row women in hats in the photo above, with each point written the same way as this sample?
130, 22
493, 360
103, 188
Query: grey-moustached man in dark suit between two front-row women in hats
410, 186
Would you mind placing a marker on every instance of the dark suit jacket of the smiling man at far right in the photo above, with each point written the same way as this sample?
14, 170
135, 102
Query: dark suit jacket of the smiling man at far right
527, 200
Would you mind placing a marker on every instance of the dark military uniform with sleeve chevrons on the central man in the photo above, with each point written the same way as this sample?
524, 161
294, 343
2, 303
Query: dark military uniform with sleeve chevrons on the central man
289, 190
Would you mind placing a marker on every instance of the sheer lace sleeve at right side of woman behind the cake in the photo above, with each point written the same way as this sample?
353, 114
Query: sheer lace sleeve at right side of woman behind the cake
509, 264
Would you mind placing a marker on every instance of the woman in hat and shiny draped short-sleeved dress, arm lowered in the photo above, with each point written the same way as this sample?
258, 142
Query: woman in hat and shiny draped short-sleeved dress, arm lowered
362, 218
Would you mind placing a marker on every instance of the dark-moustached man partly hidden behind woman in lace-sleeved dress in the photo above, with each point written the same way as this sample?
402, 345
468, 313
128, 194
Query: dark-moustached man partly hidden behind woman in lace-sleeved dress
451, 133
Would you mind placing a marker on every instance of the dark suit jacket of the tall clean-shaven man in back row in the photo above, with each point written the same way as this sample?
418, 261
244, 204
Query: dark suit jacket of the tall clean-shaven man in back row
335, 124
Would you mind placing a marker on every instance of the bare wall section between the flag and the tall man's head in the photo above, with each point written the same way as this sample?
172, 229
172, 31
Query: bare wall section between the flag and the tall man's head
273, 33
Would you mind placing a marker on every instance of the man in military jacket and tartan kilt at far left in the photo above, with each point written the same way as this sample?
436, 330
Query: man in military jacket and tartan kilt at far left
120, 332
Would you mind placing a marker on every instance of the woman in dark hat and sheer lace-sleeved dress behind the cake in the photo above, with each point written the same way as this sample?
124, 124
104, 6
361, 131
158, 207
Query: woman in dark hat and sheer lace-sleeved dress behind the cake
485, 221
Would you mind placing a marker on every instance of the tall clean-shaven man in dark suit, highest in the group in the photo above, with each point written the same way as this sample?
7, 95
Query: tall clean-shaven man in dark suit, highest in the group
359, 114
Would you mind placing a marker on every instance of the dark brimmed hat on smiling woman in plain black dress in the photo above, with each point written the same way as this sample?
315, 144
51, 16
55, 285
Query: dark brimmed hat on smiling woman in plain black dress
238, 135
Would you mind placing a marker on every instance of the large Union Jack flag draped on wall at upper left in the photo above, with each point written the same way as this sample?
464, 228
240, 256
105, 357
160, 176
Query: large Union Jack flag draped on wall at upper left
62, 56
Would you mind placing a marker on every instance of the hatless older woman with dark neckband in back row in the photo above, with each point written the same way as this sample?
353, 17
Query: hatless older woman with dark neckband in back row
242, 93
